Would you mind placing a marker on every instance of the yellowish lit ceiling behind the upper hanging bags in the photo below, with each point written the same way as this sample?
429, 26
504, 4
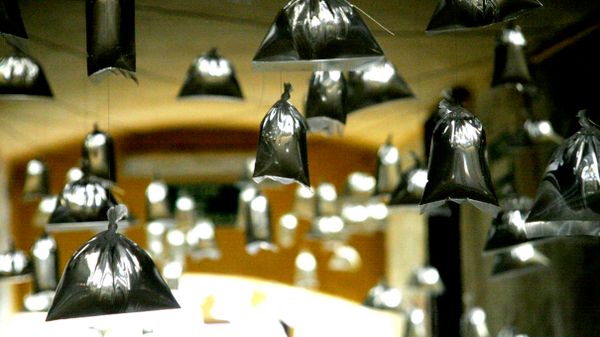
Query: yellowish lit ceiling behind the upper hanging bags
169, 34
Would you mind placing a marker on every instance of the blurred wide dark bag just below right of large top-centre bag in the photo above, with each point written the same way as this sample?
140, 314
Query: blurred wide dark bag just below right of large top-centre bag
375, 83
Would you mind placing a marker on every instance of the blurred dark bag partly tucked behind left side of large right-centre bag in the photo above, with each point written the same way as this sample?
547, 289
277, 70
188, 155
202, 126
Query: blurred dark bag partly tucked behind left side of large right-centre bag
411, 187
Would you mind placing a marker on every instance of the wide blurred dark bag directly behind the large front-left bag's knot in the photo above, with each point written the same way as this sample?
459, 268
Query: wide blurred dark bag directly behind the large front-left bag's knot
82, 205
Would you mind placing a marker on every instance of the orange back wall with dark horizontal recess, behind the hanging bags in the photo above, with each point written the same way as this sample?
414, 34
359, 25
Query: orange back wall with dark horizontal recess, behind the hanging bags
329, 160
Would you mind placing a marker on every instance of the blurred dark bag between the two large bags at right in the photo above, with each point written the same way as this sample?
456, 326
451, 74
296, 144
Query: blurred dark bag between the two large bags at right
508, 226
